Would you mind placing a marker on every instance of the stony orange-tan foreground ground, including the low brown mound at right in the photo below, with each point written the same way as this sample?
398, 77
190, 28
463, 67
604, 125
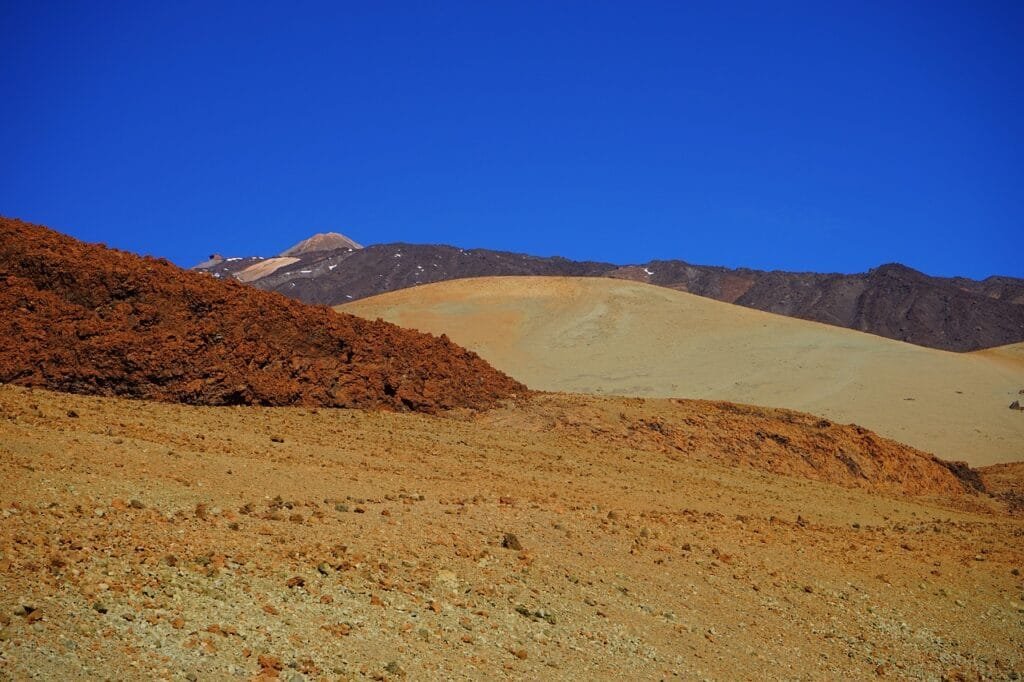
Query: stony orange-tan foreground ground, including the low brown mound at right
562, 538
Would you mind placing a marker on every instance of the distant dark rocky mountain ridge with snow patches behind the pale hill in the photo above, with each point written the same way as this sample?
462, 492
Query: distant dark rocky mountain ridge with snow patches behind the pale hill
892, 301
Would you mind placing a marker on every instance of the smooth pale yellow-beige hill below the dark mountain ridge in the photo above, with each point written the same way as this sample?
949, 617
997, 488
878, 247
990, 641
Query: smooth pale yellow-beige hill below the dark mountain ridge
615, 337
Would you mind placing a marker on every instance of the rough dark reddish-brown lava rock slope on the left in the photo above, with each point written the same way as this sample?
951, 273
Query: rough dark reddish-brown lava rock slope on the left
84, 319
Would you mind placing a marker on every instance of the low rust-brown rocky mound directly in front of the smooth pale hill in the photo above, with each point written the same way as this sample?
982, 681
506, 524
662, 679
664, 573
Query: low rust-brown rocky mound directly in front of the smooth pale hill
781, 442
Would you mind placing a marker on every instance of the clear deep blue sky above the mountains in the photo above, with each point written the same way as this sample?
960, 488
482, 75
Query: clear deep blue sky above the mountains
813, 136
